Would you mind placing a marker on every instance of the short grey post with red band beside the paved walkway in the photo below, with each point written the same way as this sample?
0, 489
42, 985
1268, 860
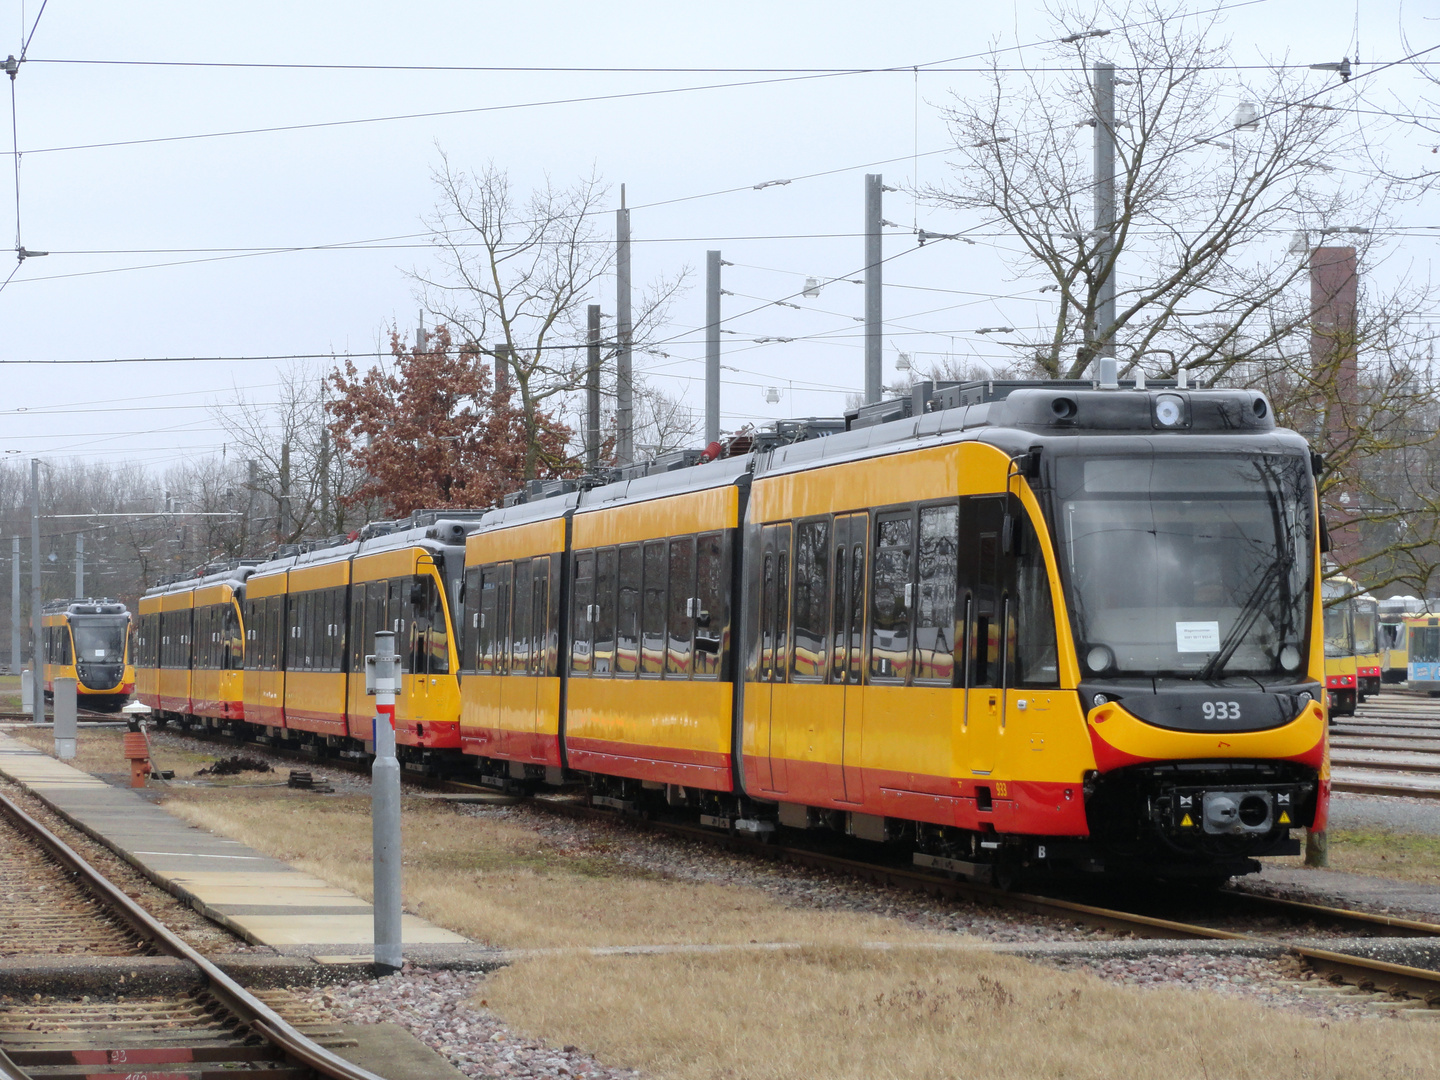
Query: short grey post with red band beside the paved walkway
385, 811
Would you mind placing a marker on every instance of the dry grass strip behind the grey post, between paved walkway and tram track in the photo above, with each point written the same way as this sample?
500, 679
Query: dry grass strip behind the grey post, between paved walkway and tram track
506, 885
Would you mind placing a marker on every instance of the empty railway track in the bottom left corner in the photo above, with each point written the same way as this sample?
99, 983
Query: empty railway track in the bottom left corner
64, 922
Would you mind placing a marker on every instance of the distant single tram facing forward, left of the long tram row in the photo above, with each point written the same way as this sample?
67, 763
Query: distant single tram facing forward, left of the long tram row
90, 642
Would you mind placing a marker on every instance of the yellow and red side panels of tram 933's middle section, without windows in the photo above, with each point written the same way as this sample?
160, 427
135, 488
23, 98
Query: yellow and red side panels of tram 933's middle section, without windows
670, 731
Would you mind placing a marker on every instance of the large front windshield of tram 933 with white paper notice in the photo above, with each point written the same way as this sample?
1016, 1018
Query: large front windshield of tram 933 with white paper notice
1192, 567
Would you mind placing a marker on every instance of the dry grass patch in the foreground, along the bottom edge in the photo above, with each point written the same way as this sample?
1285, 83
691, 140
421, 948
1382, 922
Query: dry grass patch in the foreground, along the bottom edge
847, 1013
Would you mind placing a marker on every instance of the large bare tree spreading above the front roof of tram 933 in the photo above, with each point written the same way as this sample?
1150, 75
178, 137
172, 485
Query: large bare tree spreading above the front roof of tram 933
1206, 194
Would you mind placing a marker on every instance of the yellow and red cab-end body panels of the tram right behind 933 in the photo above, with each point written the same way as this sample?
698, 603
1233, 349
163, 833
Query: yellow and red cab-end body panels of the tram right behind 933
427, 708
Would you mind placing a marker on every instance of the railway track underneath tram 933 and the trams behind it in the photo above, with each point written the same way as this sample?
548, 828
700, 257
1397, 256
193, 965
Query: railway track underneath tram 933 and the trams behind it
1364, 973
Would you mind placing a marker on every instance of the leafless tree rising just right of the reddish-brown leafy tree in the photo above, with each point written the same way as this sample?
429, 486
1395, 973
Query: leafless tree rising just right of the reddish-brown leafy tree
515, 277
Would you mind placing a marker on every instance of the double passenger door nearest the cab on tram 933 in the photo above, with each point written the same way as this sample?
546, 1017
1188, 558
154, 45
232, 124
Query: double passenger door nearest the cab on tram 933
849, 646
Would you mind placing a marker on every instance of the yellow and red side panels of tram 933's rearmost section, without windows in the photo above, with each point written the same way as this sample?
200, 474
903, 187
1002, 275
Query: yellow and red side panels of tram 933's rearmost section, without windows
513, 716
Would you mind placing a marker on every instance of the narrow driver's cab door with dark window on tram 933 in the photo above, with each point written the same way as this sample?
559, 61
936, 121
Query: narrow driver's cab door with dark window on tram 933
981, 577
